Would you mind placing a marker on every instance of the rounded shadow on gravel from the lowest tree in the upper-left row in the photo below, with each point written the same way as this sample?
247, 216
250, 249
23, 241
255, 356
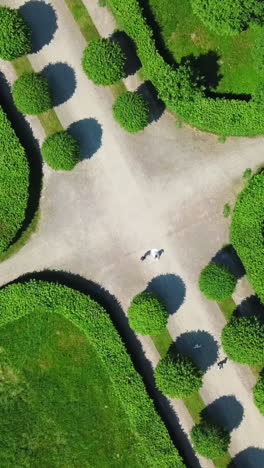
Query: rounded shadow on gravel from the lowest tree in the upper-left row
88, 132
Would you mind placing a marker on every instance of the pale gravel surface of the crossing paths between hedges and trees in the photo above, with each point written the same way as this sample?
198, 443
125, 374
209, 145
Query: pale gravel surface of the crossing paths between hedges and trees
163, 188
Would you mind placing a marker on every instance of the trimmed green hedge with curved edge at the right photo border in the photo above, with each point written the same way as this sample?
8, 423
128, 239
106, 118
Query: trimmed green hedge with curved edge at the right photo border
246, 231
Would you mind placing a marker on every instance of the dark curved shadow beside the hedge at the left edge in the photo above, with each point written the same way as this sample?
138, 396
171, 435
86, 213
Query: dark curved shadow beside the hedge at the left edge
31, 146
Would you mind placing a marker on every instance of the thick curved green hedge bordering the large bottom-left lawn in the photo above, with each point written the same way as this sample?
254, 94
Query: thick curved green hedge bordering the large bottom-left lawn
20, 299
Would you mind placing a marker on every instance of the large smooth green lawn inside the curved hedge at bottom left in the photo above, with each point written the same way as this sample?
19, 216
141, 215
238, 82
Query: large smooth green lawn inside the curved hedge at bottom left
57, 406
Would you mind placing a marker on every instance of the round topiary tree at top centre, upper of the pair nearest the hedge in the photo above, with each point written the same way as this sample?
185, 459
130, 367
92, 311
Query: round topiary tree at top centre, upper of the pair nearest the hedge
104, 61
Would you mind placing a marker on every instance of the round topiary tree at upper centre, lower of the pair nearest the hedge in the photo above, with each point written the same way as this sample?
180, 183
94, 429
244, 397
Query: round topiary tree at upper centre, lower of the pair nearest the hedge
131, 111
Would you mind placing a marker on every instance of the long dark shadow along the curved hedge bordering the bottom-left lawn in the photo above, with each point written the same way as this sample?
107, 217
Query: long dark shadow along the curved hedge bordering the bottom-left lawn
133, 346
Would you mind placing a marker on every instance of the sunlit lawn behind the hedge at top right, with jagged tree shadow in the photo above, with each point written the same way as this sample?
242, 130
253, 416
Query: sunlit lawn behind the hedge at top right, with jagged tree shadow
184, 34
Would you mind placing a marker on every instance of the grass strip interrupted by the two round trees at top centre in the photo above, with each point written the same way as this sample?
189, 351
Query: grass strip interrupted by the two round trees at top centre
89, 32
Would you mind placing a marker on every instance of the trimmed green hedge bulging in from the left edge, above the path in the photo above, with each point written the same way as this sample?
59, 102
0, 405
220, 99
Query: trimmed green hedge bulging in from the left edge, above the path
14, 183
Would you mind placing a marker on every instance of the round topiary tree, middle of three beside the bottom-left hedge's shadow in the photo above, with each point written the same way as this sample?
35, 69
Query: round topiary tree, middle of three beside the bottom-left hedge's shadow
177, 376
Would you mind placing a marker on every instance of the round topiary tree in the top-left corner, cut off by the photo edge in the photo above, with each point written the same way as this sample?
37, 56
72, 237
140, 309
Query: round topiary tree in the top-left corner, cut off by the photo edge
15, 34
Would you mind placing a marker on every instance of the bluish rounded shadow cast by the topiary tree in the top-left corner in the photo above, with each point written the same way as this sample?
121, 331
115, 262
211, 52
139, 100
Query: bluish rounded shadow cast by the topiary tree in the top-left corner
42, 20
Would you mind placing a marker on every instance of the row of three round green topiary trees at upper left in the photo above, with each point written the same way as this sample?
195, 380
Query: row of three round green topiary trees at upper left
31, 91
